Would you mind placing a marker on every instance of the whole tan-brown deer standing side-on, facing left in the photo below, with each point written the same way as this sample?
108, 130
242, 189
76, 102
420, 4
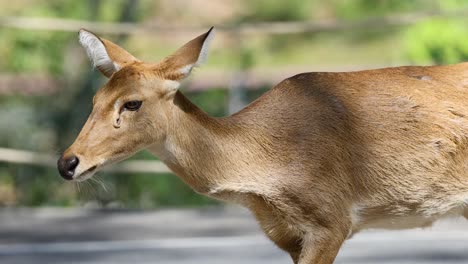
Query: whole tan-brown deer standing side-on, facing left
316, 159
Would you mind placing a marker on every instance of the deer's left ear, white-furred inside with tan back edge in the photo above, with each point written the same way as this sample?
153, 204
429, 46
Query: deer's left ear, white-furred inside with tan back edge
105, 55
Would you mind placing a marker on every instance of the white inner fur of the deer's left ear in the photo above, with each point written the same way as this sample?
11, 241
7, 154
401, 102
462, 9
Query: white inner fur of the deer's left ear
97, 52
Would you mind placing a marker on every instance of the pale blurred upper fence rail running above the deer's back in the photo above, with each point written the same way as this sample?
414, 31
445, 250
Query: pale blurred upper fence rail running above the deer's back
71, 25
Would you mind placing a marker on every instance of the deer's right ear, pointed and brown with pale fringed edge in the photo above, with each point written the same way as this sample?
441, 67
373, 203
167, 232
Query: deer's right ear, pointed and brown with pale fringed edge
179, 65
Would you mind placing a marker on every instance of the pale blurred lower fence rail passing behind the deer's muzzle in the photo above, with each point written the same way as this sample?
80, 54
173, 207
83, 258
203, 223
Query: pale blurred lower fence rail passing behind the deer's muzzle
47, 160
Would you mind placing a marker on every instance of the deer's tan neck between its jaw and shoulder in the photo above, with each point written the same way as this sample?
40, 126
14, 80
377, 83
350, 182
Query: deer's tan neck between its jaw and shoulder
204, 151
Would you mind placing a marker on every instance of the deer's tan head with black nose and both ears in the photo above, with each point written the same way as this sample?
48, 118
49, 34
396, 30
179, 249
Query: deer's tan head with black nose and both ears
131, 111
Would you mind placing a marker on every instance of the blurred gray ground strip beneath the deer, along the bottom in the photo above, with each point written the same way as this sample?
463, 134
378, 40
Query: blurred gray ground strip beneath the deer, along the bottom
228, 235
